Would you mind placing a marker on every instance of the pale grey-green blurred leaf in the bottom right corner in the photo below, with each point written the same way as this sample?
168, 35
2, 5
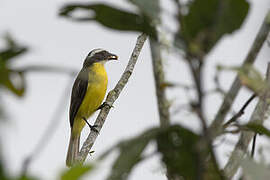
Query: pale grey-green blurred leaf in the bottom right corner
254, 170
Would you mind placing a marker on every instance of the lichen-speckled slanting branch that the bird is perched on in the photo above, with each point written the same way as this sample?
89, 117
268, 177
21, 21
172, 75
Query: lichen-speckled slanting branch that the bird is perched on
111, 98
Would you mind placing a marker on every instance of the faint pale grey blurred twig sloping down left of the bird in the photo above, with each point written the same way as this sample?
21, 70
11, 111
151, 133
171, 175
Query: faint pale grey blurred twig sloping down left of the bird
50, 130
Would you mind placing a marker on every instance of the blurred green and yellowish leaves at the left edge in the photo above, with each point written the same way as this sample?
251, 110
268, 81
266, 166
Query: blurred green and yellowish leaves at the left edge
11, 79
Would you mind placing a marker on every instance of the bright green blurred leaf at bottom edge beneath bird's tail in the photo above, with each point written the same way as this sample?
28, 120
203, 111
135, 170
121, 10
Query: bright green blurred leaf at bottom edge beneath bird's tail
76, 172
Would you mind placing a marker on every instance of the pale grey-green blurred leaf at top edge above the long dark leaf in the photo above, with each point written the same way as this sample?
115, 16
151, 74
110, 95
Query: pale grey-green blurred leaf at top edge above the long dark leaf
145, 5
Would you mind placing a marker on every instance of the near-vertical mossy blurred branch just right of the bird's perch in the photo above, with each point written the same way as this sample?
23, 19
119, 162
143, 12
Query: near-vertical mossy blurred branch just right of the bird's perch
163, 105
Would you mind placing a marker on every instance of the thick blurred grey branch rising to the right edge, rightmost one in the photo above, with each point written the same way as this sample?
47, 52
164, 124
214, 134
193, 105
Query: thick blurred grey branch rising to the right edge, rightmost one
258, 116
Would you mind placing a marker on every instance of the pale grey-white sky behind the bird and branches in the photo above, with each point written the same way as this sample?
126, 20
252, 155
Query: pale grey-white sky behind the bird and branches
57, 41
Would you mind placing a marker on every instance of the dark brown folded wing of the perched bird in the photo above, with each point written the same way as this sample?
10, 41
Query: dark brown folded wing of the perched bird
78, 92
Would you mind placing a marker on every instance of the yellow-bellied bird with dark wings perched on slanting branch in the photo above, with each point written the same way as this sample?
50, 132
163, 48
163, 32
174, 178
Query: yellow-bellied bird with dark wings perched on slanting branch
87, 94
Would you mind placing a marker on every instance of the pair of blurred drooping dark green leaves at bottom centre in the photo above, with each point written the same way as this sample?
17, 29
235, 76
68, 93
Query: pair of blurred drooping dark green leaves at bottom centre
177, 145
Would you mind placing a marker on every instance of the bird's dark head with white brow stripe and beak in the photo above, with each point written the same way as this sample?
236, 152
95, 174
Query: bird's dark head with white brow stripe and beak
99, 56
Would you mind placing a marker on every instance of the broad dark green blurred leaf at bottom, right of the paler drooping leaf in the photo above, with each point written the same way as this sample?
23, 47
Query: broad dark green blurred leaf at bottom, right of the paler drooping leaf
179, 152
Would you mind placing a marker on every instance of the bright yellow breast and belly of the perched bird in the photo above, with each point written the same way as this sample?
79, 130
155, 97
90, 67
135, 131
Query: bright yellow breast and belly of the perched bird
96, 90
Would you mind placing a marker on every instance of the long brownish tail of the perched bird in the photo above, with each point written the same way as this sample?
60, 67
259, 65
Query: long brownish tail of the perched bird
73, 149
